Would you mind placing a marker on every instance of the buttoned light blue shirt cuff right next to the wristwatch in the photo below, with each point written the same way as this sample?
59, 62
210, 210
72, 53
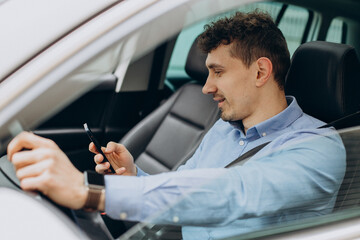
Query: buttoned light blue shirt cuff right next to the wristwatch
123, 196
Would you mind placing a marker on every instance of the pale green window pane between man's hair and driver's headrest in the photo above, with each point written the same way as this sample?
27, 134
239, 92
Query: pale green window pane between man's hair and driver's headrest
293, 24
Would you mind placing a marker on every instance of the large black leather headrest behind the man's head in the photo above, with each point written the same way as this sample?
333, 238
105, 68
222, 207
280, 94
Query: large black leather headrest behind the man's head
325, 79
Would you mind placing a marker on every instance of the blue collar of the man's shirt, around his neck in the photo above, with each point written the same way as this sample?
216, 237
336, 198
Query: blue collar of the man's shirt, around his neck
274, 124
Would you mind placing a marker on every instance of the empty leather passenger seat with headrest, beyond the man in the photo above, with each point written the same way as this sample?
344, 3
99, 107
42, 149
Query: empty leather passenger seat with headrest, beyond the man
169, 136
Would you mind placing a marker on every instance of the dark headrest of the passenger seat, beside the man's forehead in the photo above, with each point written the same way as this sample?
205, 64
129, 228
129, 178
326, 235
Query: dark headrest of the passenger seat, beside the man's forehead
195, 64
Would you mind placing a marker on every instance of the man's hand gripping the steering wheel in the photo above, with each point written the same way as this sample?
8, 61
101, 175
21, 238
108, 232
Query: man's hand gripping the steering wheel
44, 167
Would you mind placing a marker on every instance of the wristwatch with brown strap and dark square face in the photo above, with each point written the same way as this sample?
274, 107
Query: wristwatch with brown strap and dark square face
95, 185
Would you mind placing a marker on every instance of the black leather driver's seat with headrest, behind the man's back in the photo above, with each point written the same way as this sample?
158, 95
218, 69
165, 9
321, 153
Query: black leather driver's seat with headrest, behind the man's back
325, 79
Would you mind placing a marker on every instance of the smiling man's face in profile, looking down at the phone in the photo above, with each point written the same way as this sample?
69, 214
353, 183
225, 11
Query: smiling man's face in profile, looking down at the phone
231, 83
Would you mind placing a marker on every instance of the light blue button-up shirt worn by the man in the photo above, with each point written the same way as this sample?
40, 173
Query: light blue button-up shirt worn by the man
297, 175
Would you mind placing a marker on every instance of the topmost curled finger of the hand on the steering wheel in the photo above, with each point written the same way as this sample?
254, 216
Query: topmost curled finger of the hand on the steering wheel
27, 140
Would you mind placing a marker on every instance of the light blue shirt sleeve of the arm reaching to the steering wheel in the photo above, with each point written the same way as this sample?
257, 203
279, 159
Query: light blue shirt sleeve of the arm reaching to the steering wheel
299, 177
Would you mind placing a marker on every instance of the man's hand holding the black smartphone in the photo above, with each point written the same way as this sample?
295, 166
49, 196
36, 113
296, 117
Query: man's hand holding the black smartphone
119, 157
